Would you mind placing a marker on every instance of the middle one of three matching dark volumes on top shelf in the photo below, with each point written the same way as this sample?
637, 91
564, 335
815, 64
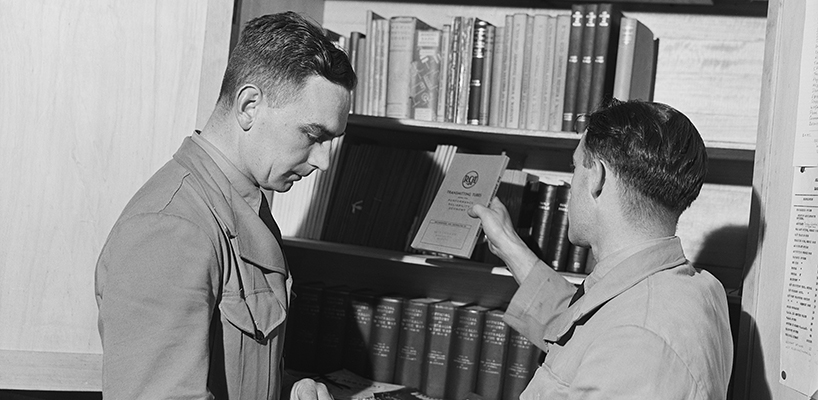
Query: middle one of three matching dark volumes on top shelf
586, 68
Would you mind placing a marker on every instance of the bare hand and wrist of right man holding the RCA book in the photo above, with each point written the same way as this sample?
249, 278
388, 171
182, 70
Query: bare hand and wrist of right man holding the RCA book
503, 239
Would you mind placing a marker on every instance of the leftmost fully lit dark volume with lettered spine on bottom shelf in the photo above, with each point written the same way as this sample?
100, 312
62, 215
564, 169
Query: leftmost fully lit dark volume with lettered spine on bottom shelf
385, 330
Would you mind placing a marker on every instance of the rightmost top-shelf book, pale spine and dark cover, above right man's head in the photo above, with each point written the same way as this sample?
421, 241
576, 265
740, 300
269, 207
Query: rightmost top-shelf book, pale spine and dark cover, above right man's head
635, 61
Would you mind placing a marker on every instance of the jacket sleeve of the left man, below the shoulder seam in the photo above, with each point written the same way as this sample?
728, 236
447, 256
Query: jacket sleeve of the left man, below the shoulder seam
157, 284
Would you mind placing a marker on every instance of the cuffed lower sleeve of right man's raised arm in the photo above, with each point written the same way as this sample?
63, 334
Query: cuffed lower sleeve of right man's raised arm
543, 295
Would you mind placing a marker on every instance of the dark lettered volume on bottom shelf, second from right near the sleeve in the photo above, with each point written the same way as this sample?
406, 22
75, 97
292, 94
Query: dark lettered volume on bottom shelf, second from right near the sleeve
492, 361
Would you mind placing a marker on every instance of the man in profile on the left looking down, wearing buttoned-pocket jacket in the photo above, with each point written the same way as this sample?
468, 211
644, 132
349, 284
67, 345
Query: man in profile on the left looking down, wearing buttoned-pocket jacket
192, 285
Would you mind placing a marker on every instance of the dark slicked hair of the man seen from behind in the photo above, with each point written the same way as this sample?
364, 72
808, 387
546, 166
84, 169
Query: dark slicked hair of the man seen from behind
654, 149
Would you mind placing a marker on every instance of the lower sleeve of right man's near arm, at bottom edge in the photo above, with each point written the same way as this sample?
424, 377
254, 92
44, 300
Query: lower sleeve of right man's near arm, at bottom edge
631, 362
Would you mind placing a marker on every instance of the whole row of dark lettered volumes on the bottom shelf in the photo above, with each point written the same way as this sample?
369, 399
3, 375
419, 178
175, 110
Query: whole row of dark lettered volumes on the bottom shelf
443, 348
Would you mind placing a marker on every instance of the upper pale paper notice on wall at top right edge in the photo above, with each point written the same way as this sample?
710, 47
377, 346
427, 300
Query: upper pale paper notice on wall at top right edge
806, 125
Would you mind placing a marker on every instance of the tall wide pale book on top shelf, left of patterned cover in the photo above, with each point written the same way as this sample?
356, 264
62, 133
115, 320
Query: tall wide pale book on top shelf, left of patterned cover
402, 41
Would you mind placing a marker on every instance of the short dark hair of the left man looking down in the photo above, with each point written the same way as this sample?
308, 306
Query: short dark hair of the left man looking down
278, 53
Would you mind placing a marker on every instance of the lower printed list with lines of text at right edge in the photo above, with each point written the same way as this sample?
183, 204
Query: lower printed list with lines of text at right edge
799, 353
